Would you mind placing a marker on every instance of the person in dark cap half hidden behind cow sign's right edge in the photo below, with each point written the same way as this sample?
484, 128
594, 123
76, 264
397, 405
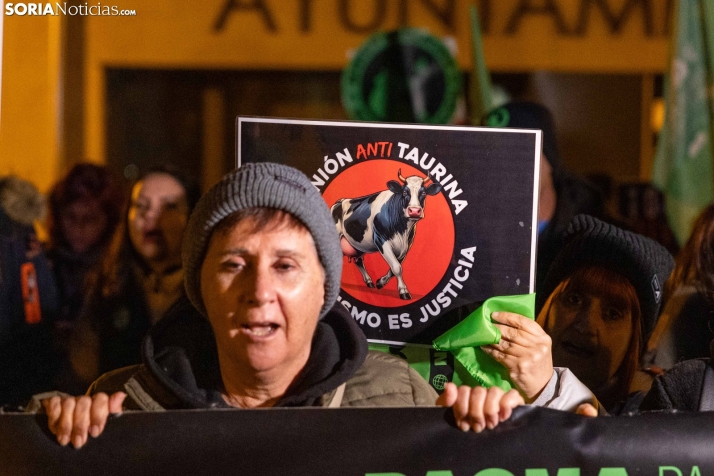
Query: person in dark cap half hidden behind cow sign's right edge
563, 194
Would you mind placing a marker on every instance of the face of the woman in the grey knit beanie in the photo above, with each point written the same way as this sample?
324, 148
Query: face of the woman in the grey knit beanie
263, 292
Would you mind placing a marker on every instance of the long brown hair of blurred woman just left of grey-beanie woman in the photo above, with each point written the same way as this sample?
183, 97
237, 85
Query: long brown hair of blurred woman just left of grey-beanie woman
112, 271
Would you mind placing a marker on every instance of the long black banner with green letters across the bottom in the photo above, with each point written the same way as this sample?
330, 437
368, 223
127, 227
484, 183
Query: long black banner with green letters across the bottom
374, 441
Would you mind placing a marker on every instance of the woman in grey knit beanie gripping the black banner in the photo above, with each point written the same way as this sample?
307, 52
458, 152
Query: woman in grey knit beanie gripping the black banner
262, 267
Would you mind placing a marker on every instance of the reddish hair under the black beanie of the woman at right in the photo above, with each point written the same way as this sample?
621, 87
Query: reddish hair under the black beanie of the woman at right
604, 282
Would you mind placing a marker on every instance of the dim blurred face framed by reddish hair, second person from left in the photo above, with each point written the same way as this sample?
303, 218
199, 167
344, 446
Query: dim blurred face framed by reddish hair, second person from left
83, 224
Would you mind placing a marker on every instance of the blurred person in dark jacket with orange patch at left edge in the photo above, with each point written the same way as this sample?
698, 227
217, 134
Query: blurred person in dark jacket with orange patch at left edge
28, 296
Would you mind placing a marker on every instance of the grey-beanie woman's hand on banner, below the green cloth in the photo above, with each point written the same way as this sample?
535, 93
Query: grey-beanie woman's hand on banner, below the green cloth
479, 407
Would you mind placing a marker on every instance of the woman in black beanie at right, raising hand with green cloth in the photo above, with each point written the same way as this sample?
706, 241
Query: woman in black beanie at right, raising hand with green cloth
601, 301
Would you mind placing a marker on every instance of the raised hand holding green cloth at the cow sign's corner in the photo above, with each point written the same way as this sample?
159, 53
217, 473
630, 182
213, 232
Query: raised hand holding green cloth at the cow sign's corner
525, 350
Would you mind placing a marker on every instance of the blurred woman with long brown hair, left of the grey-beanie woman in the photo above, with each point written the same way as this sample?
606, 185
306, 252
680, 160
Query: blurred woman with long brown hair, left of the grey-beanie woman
139, 278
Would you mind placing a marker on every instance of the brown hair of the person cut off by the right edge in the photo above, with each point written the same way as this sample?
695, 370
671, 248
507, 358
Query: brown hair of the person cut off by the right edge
695, 262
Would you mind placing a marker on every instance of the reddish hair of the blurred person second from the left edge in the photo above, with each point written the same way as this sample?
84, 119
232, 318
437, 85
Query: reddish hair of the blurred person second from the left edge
86, 182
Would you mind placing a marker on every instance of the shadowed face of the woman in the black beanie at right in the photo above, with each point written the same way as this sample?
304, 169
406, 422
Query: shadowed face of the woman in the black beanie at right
591, 333
